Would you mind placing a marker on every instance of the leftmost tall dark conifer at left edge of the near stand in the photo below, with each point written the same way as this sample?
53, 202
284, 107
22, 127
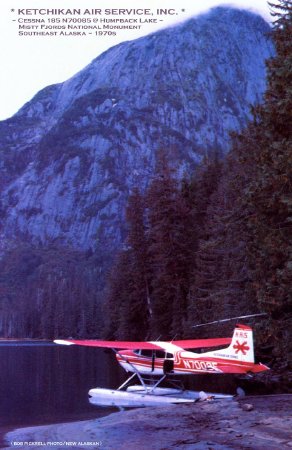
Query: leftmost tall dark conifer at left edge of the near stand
129, 300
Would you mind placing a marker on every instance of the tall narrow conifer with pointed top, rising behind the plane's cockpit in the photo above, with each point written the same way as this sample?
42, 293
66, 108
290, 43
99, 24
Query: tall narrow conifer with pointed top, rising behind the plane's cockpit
169, 251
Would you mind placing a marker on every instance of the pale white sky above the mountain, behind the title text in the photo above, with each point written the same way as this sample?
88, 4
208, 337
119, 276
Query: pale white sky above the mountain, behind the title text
31, 62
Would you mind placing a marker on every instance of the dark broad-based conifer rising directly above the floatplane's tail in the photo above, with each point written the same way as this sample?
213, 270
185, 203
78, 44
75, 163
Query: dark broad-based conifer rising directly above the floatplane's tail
221, 286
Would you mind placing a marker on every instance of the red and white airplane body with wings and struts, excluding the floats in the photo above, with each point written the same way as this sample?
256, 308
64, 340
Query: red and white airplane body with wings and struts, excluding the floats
164, 359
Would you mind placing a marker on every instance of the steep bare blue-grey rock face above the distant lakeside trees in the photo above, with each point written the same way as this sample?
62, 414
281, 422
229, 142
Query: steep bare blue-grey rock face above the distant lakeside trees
70, 156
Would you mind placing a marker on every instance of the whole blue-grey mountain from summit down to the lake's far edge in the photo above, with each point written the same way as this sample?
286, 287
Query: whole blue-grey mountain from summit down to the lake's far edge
71, 155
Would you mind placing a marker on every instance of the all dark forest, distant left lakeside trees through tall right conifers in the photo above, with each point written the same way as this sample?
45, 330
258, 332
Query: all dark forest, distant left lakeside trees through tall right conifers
201, 246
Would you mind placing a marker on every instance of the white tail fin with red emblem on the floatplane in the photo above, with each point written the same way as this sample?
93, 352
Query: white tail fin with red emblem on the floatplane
241, 347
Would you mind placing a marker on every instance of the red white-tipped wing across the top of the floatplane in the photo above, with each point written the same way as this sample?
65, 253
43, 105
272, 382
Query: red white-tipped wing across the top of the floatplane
131, 345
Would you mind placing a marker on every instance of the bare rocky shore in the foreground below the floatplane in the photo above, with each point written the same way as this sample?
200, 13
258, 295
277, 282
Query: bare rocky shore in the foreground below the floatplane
255, 423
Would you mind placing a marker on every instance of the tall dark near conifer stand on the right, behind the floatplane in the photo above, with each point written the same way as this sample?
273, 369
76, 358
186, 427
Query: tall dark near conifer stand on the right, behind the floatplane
216, 243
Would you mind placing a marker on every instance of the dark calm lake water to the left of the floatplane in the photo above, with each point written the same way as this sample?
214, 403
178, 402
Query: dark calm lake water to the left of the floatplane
43, 383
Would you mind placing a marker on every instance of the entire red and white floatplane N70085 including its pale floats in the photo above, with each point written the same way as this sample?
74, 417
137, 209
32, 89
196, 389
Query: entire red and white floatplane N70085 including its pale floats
153, 362
